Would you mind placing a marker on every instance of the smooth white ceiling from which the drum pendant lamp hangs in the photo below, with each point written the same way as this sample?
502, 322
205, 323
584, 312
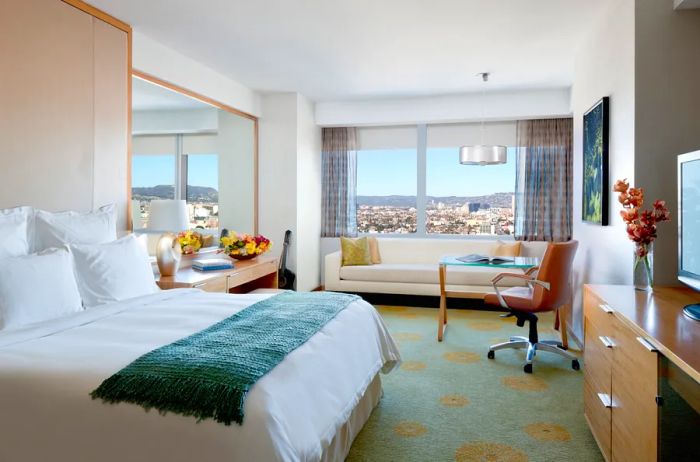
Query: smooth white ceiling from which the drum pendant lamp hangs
359, 49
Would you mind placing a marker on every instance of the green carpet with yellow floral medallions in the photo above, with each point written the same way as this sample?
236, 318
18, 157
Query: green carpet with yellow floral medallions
448, 402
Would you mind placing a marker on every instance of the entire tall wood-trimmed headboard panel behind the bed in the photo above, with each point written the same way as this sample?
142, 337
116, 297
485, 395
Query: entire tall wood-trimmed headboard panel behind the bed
65, 93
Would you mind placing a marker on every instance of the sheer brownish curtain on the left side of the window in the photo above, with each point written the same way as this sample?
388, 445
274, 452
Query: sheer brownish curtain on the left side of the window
339, 166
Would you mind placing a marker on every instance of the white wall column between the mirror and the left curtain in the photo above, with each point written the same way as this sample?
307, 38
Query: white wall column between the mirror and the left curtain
290, 182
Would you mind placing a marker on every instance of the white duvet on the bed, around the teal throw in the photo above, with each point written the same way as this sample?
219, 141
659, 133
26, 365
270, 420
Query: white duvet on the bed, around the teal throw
47, 371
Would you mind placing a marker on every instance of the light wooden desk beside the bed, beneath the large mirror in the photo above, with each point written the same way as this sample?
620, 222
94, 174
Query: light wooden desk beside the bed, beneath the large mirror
248, 275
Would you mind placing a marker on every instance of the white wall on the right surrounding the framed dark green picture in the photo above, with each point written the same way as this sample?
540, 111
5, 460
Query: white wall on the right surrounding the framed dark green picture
604, 66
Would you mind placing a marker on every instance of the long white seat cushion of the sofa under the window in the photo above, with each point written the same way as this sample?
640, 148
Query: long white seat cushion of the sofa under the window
427, 273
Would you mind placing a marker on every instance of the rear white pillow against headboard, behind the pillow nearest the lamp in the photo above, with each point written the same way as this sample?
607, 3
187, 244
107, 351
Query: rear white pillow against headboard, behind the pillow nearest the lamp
57, 229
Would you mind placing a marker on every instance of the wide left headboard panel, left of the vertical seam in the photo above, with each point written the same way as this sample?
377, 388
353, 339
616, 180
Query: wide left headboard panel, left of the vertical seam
46, 102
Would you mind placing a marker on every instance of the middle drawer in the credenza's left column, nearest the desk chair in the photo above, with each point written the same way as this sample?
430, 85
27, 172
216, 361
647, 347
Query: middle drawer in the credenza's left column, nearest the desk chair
597, 357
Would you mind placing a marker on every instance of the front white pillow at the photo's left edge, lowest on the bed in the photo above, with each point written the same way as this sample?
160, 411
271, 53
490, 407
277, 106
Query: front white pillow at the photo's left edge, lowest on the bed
37, 287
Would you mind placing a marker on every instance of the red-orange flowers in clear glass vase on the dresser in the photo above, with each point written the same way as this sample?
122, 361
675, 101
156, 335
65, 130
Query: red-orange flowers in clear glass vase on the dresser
641, 224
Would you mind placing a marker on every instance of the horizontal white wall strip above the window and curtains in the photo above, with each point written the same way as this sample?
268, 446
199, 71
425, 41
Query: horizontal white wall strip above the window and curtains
446, 108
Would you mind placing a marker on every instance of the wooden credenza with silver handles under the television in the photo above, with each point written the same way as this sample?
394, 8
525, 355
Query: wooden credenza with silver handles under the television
635, 342
